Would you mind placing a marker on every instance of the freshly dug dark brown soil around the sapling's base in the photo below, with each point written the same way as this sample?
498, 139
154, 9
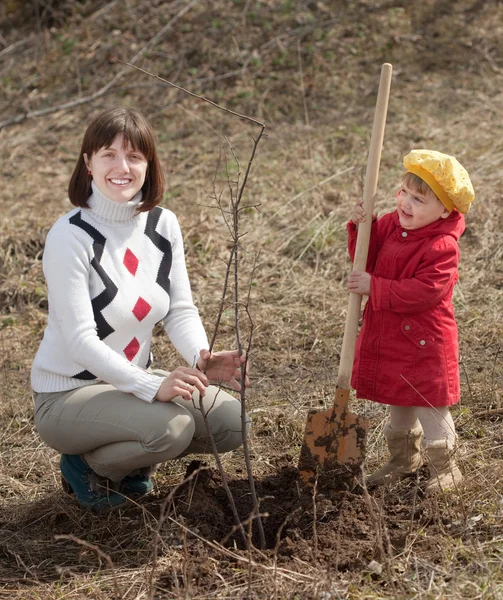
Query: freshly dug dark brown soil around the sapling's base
336, 529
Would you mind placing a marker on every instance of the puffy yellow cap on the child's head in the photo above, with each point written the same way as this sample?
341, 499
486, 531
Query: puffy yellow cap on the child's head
445, 175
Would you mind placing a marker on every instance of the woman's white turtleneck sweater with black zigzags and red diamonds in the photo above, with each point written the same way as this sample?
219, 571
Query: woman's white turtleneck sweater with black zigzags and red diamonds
112, 275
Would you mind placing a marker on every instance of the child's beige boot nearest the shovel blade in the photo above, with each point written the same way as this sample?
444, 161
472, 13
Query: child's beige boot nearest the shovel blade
405, 450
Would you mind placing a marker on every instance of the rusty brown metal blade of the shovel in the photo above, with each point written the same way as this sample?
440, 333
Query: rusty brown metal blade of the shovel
334, 443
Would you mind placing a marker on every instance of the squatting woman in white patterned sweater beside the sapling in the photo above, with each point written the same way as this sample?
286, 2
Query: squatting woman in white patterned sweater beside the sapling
115, 267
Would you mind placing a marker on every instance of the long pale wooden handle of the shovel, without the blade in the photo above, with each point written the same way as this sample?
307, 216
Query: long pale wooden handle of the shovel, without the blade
363, 238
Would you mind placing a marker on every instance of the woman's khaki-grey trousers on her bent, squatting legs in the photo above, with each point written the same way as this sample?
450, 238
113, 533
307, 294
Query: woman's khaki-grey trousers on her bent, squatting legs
118, 433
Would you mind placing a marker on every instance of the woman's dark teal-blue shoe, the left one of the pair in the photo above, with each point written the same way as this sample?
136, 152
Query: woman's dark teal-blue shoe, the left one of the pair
77, 476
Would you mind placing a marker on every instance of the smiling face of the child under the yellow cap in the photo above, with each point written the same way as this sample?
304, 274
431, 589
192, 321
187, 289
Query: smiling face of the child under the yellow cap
417, 210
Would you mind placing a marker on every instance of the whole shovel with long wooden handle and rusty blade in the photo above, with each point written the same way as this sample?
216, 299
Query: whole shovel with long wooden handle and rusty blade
334, 439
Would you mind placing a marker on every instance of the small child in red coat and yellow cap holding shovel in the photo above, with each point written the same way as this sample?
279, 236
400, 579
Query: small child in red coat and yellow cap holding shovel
407, 350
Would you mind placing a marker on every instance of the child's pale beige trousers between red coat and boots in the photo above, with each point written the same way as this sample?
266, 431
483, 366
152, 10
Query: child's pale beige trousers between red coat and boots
436, 422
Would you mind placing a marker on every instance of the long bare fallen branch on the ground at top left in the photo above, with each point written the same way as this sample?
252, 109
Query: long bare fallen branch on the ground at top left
102, 91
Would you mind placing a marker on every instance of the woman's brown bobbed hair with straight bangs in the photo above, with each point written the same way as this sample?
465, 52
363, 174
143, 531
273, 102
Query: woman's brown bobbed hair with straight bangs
101, 133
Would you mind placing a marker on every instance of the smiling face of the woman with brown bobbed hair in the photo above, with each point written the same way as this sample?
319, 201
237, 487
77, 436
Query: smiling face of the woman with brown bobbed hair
118, 172
